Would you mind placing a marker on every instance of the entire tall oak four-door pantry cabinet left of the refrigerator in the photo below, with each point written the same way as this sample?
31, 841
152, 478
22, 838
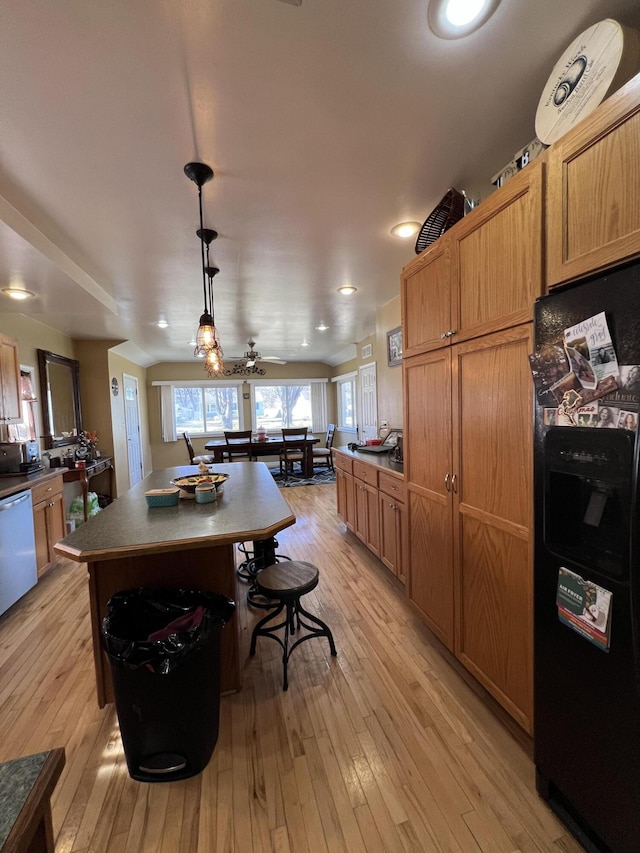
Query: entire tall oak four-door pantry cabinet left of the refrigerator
467, 427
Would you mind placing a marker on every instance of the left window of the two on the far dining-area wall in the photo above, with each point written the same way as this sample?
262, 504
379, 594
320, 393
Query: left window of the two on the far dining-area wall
201, 408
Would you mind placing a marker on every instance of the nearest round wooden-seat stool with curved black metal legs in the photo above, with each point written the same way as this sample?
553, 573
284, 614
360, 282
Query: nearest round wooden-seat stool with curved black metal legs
286, 583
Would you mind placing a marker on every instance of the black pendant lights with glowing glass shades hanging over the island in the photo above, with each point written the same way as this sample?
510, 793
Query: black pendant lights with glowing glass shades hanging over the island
207, 337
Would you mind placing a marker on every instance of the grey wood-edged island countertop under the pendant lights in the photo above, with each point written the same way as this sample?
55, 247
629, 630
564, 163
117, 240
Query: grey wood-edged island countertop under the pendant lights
251, 507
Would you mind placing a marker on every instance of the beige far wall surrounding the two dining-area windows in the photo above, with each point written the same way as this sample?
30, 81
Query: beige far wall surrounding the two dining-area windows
167, 454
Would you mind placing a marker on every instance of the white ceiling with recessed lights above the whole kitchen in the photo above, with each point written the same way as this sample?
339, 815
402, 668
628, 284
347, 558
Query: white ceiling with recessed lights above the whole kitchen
325, 123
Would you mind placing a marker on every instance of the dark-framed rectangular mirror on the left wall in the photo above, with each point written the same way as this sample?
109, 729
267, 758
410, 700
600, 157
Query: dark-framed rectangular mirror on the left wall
60, 395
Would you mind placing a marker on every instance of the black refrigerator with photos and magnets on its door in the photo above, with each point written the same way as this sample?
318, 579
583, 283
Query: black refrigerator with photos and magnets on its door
587, 570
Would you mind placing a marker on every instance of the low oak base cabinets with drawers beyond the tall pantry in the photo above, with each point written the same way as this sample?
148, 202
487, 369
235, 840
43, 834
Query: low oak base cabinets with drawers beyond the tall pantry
371, 504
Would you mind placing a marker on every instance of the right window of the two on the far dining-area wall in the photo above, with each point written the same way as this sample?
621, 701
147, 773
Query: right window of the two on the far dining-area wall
290, 403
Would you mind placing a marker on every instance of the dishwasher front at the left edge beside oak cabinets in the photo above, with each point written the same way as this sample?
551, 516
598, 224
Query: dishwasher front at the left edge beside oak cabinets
18, 571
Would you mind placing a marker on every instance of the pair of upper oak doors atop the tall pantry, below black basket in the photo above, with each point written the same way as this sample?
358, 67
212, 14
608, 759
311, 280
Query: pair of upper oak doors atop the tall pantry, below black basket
483, 275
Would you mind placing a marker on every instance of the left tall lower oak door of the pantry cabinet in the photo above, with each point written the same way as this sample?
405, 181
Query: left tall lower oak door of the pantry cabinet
428, 470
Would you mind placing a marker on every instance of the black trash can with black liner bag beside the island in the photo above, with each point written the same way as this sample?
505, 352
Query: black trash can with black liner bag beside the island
164, 649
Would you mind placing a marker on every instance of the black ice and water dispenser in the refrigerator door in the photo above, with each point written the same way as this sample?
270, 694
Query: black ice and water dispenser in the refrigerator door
588, 488
